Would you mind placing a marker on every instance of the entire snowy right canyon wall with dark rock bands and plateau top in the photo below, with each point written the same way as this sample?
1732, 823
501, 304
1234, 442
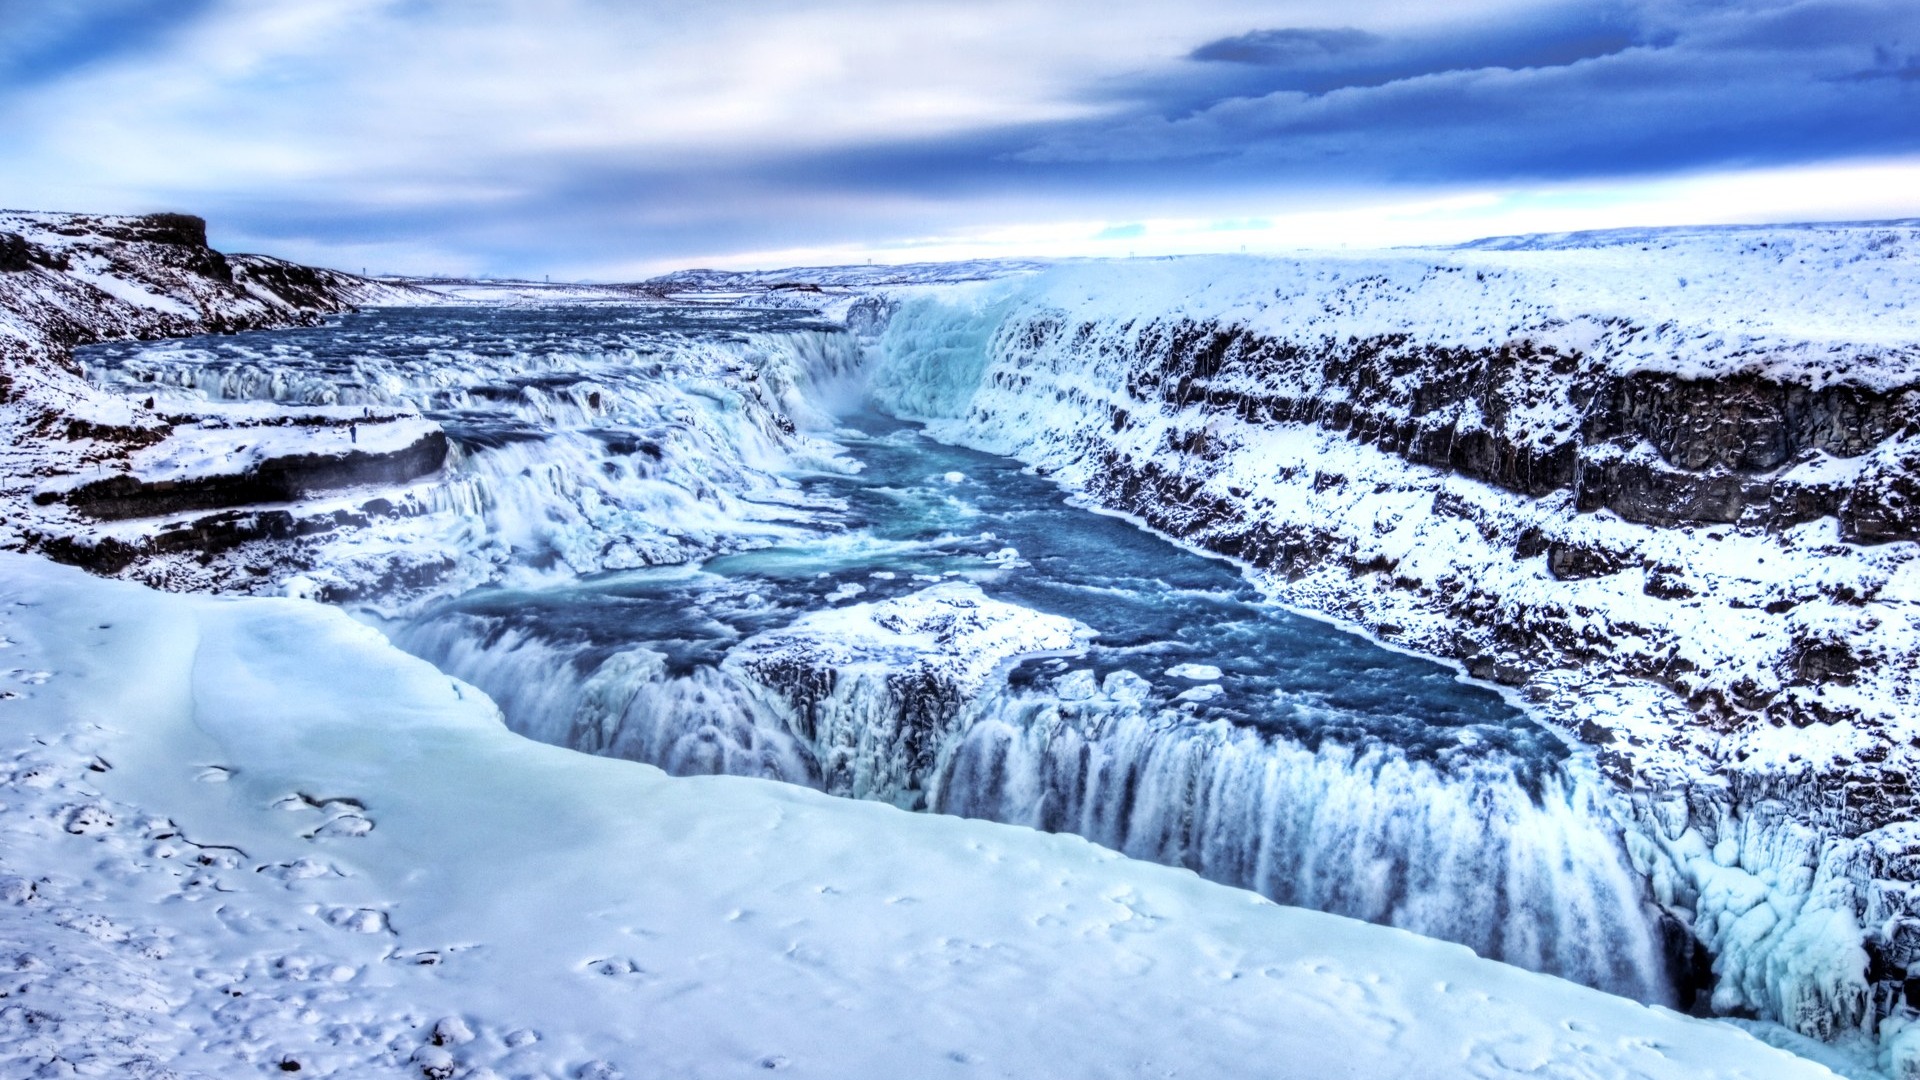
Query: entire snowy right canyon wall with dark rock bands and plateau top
1660, 483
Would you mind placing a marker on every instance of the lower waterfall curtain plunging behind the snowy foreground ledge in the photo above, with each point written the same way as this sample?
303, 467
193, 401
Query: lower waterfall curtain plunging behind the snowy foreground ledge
1477, 848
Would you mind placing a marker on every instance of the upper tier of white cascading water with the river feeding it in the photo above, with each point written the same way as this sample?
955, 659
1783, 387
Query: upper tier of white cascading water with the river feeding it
583, 439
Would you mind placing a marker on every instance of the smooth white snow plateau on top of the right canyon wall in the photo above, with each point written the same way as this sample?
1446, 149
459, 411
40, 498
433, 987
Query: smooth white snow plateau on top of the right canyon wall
1812, 305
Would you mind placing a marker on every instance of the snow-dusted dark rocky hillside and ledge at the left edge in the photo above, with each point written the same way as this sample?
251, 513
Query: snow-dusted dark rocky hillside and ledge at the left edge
114, 481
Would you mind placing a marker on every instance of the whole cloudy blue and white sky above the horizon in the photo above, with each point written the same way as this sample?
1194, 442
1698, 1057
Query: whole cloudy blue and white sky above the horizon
600, 139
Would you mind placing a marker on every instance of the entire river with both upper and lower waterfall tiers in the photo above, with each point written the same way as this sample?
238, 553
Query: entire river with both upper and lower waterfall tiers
934, 627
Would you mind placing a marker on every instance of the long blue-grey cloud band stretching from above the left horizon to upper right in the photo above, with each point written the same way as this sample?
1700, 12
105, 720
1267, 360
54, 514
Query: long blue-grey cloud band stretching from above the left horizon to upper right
1696, 91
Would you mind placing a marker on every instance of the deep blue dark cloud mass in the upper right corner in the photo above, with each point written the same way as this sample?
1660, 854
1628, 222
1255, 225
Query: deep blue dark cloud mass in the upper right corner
1589, 93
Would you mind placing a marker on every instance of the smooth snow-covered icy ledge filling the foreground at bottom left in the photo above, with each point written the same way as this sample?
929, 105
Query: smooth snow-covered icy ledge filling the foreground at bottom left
254, 835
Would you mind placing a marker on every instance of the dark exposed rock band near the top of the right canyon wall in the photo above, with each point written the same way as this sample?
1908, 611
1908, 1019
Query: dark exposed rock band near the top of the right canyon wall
1652, 449
